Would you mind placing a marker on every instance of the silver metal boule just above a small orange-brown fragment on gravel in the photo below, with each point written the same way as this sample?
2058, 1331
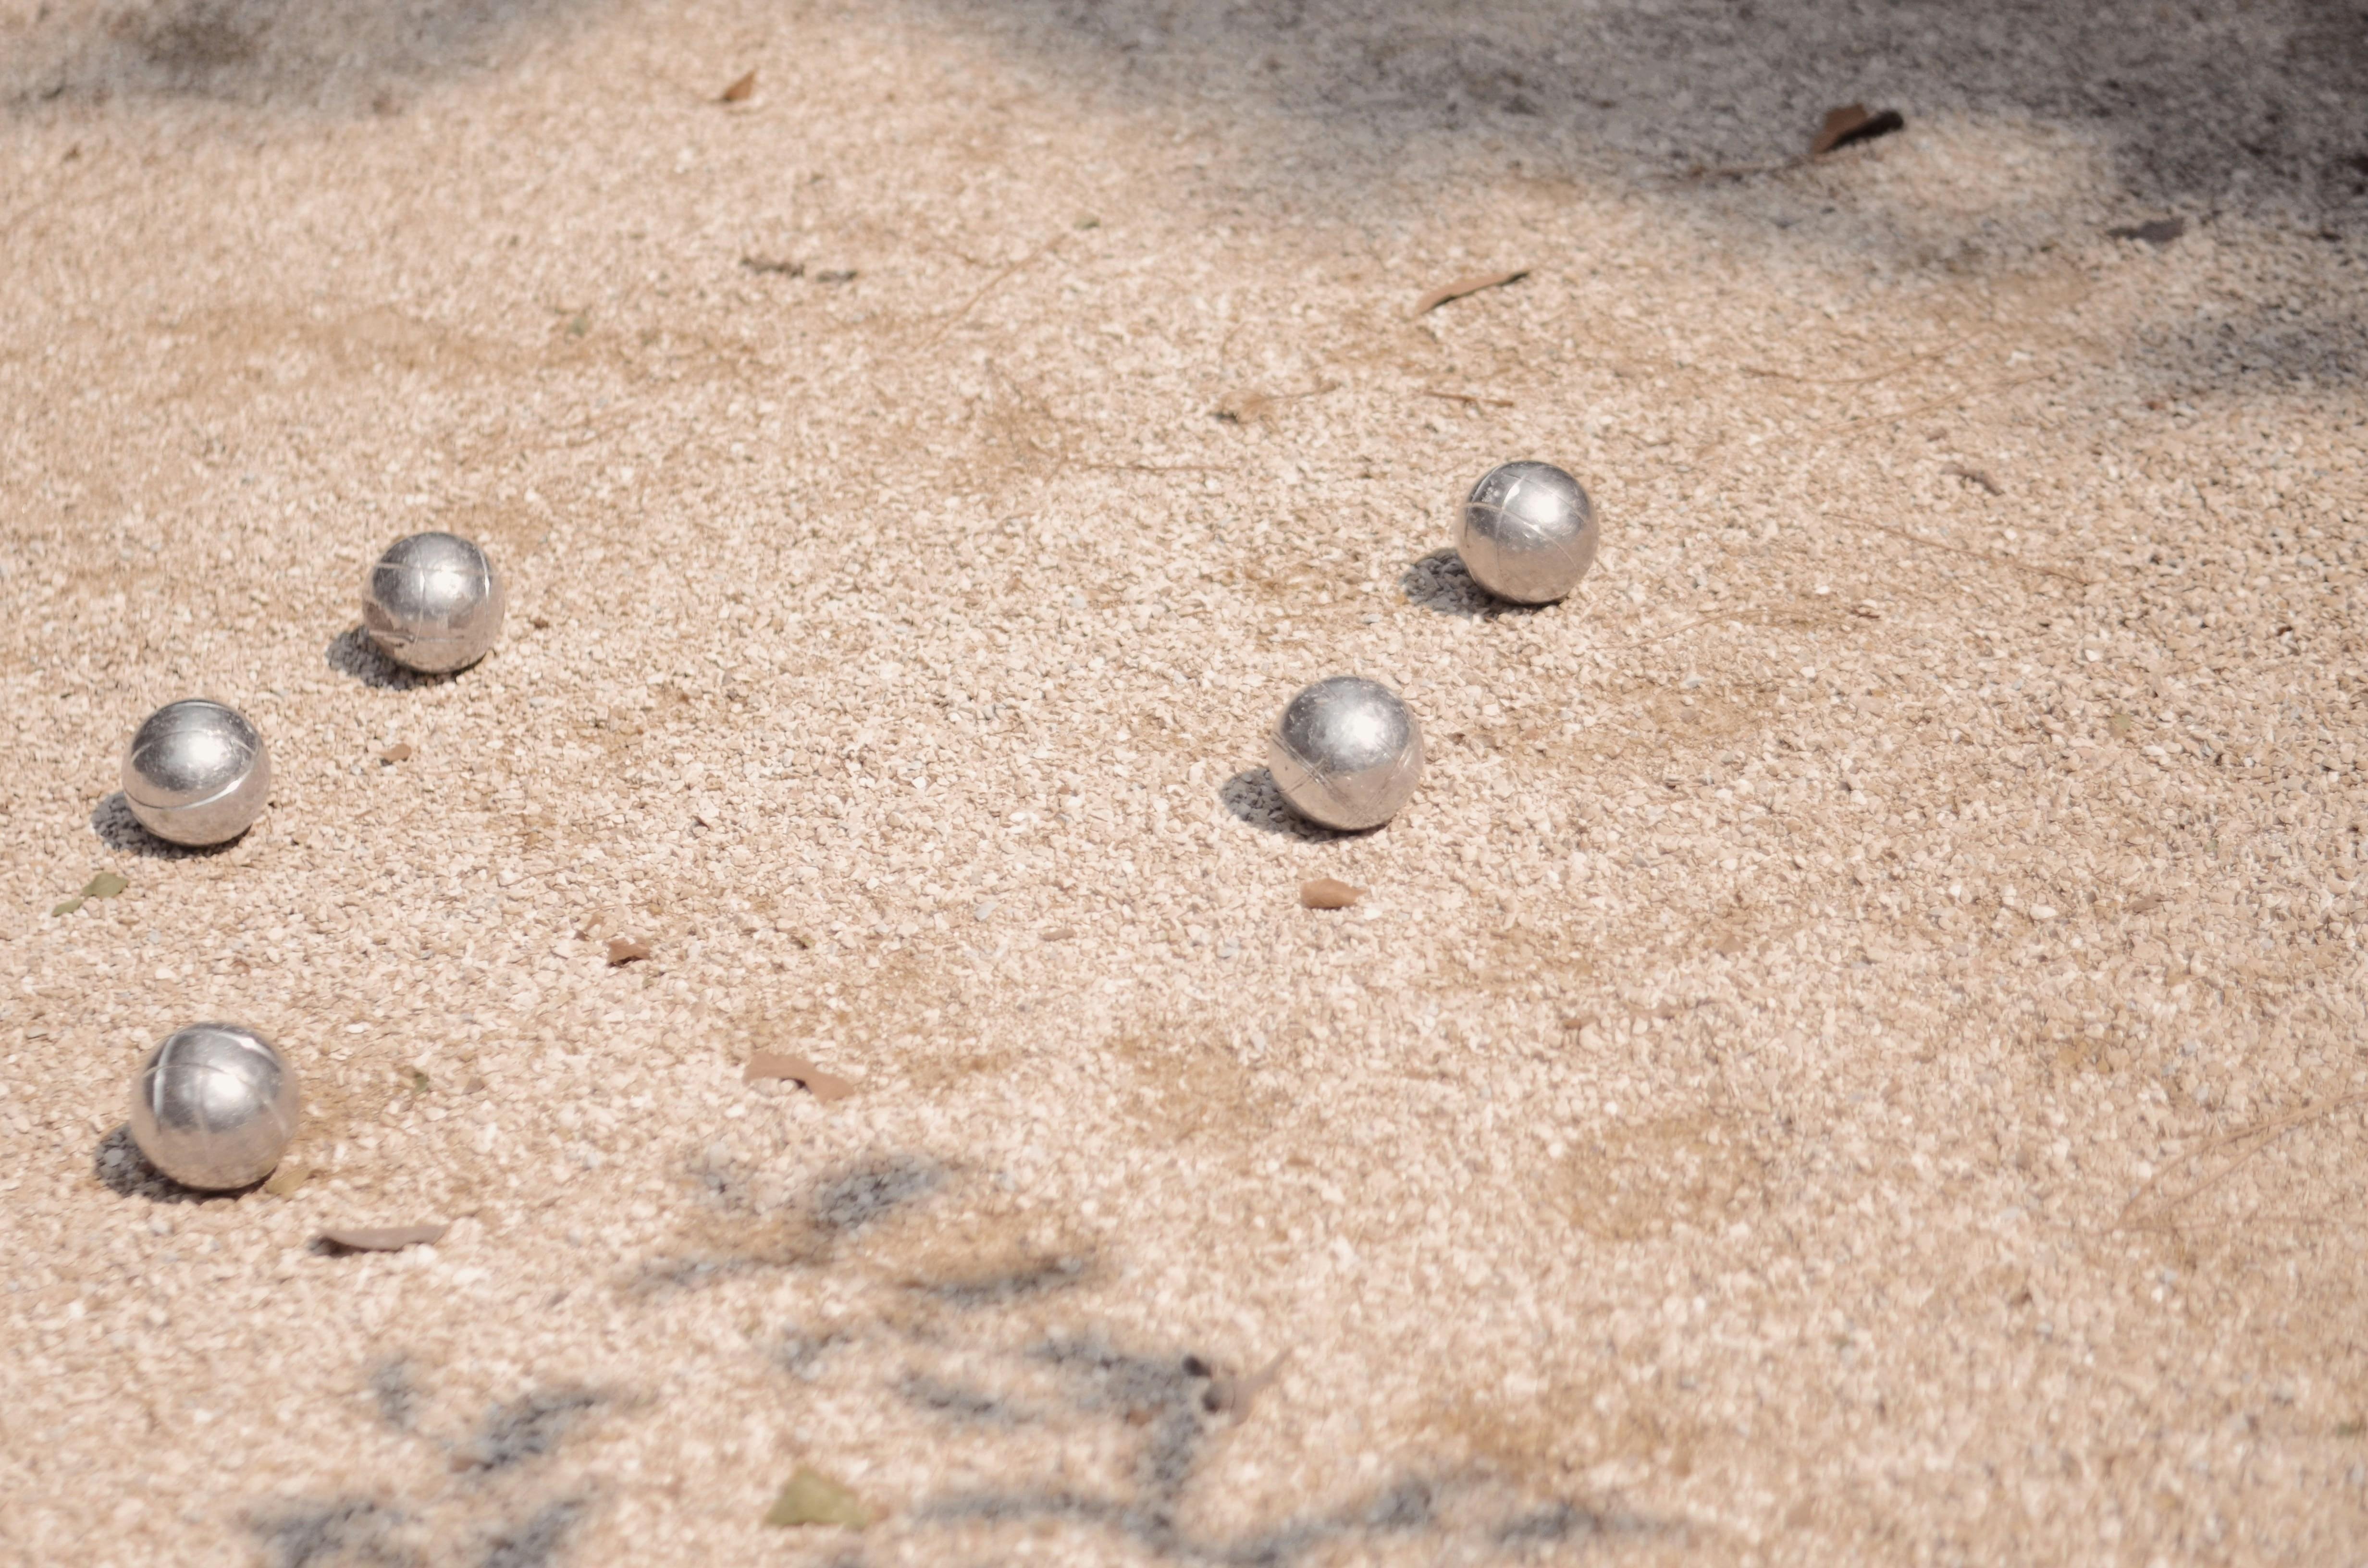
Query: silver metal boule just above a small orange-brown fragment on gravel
1346, 752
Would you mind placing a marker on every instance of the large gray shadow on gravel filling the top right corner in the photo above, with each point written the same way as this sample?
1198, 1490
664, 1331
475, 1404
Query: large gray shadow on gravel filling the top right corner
2199, 103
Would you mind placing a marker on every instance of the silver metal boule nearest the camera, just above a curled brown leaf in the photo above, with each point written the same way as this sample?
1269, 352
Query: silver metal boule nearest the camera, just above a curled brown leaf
214, 1107
